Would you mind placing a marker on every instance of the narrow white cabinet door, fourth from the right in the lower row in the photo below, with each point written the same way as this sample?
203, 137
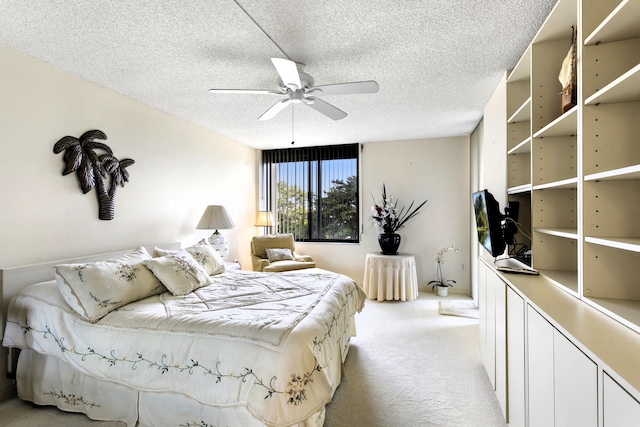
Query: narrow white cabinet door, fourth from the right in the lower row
516, 358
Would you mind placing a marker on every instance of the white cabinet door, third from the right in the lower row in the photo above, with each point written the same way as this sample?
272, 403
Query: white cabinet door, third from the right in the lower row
540, 370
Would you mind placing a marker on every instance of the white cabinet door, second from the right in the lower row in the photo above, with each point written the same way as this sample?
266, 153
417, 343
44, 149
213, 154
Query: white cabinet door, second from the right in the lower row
575, 385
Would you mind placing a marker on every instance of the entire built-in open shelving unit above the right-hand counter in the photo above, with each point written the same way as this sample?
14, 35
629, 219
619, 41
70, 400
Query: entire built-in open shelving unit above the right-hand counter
578, 173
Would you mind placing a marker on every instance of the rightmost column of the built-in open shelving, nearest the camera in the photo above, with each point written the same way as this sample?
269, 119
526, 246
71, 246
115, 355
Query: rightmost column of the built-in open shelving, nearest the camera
611, 163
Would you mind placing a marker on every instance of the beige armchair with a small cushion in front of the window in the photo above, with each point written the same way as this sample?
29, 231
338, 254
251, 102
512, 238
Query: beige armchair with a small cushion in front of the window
276, 252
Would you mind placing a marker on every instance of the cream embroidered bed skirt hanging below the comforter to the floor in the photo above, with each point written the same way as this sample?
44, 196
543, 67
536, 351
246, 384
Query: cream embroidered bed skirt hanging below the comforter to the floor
47, 380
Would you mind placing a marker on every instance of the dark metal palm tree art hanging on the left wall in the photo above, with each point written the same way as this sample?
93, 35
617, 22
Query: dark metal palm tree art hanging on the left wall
103, 171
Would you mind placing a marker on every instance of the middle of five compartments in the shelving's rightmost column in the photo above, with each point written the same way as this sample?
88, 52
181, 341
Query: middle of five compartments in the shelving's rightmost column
610, 134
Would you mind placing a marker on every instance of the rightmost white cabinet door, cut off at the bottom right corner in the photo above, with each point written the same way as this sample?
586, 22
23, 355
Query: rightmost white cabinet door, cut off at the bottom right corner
620, 408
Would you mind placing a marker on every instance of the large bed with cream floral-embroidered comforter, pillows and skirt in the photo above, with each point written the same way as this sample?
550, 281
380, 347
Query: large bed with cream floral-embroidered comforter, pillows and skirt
240, 348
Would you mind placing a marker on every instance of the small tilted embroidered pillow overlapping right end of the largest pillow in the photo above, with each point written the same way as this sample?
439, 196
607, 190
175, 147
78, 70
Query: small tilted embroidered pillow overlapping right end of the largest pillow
179, 272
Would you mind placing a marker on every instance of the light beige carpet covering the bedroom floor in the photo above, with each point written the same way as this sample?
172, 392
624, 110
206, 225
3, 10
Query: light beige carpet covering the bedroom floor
409, 366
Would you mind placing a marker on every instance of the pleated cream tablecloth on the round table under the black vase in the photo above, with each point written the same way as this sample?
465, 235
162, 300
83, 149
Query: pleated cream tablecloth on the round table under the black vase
390, 277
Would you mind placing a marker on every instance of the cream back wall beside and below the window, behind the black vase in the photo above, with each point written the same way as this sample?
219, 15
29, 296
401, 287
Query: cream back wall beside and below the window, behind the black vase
434, 169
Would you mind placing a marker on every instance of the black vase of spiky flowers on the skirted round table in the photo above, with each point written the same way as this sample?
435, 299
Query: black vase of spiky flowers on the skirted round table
388, 219
